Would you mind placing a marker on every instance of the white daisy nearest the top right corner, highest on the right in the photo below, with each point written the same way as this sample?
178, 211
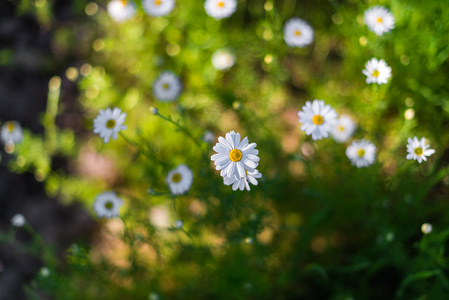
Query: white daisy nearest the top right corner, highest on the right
379, 19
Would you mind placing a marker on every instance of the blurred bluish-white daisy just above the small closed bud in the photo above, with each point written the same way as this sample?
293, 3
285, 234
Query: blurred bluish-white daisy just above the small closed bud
167, 87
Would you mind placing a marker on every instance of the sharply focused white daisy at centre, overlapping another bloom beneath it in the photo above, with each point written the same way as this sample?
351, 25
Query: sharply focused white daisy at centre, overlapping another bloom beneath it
235, 157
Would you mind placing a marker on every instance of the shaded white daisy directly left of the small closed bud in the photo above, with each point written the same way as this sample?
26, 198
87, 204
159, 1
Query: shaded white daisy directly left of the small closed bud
108, 123
